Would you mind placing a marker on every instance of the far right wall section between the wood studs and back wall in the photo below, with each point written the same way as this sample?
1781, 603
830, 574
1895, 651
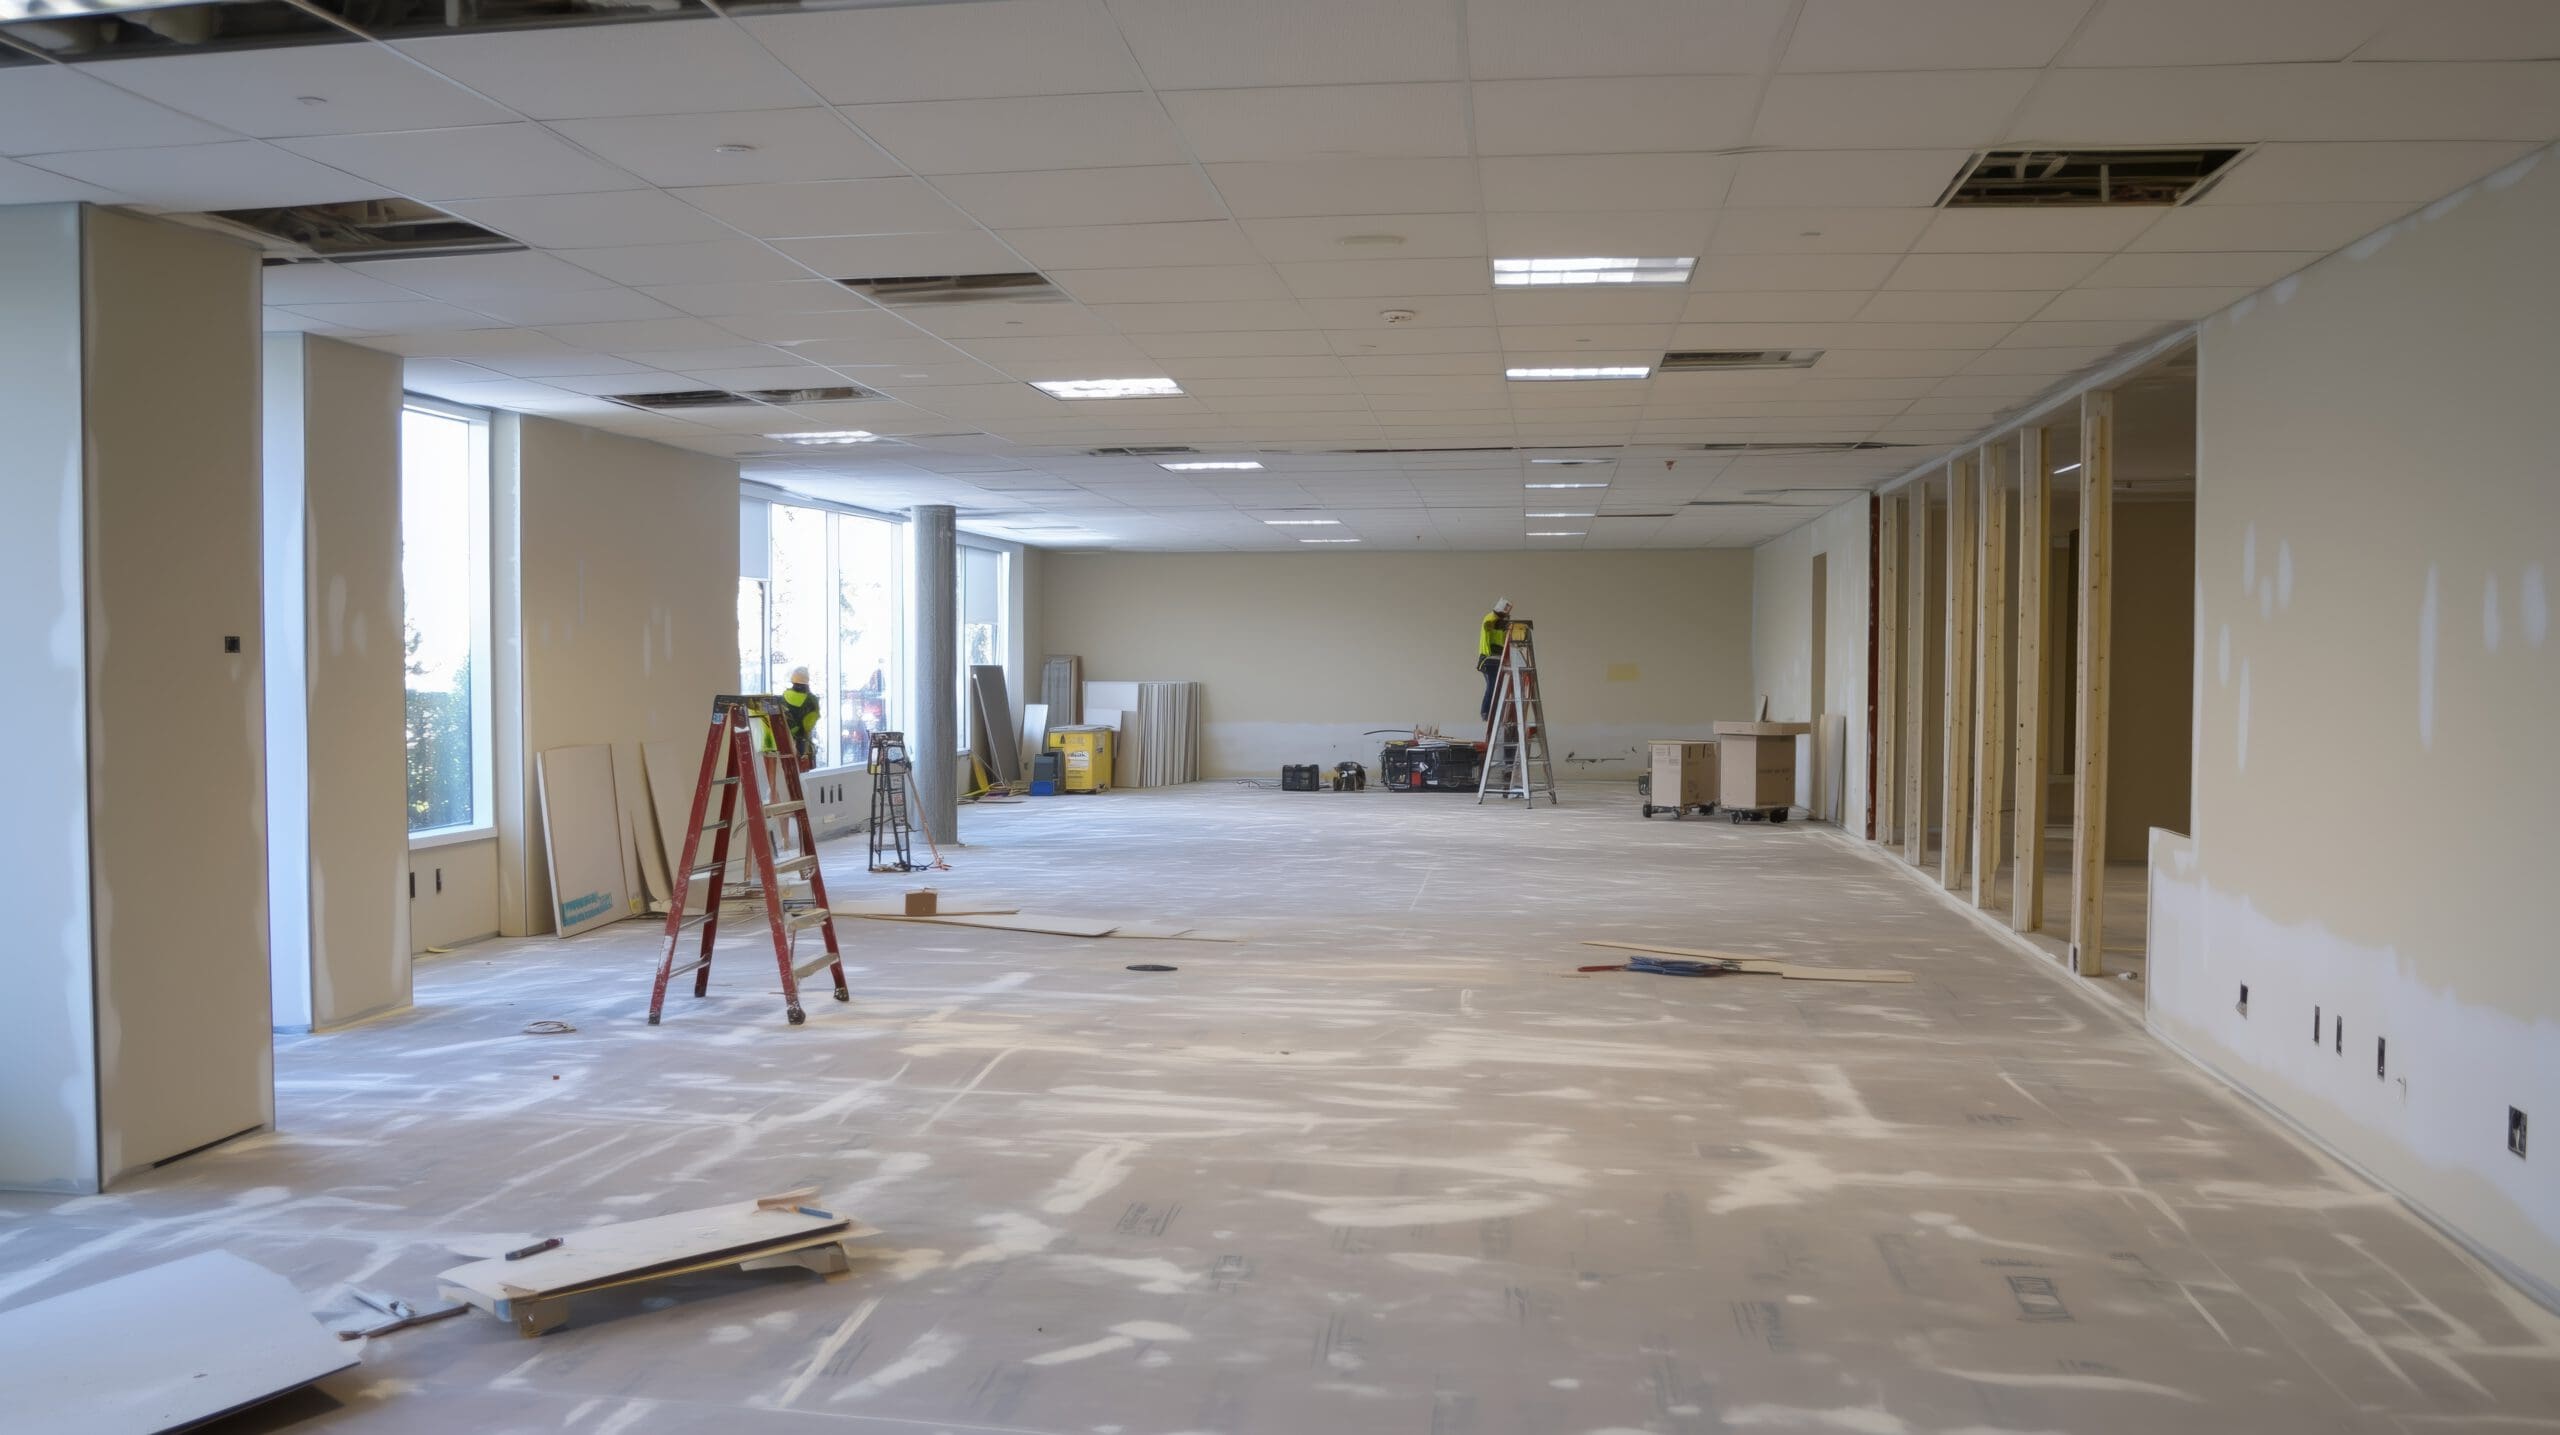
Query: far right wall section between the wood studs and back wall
1783, 641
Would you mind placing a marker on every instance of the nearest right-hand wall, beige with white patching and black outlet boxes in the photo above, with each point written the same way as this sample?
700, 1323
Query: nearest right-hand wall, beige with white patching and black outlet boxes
2377, 694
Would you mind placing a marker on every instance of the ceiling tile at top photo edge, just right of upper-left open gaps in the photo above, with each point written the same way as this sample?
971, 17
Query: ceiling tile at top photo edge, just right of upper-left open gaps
954, 52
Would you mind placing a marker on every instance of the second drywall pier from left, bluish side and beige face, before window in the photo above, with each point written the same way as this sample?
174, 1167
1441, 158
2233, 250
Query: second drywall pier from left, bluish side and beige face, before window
334, 684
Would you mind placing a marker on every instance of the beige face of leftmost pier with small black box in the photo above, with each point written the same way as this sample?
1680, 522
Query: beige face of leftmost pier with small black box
178, 794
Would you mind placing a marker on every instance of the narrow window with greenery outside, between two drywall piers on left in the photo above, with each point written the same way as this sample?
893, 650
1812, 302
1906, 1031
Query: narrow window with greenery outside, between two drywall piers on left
444, 595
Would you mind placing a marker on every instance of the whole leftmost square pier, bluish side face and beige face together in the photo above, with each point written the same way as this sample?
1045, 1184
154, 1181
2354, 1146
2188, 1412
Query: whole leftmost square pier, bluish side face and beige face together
129, 564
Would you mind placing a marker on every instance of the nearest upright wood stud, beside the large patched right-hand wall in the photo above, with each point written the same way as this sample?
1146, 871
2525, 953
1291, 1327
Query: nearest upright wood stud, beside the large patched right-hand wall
2095, 620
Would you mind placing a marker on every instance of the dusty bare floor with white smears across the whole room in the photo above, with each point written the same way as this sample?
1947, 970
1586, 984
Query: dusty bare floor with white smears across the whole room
1394, 1165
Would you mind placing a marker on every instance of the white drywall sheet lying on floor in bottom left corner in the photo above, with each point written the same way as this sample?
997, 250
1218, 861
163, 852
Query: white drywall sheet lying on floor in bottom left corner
163, 1349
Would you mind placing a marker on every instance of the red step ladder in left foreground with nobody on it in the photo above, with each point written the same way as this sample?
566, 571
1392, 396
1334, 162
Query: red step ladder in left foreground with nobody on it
744, 807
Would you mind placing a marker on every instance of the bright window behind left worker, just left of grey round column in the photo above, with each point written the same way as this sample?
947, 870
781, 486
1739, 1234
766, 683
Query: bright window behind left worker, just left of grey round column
833, 605
